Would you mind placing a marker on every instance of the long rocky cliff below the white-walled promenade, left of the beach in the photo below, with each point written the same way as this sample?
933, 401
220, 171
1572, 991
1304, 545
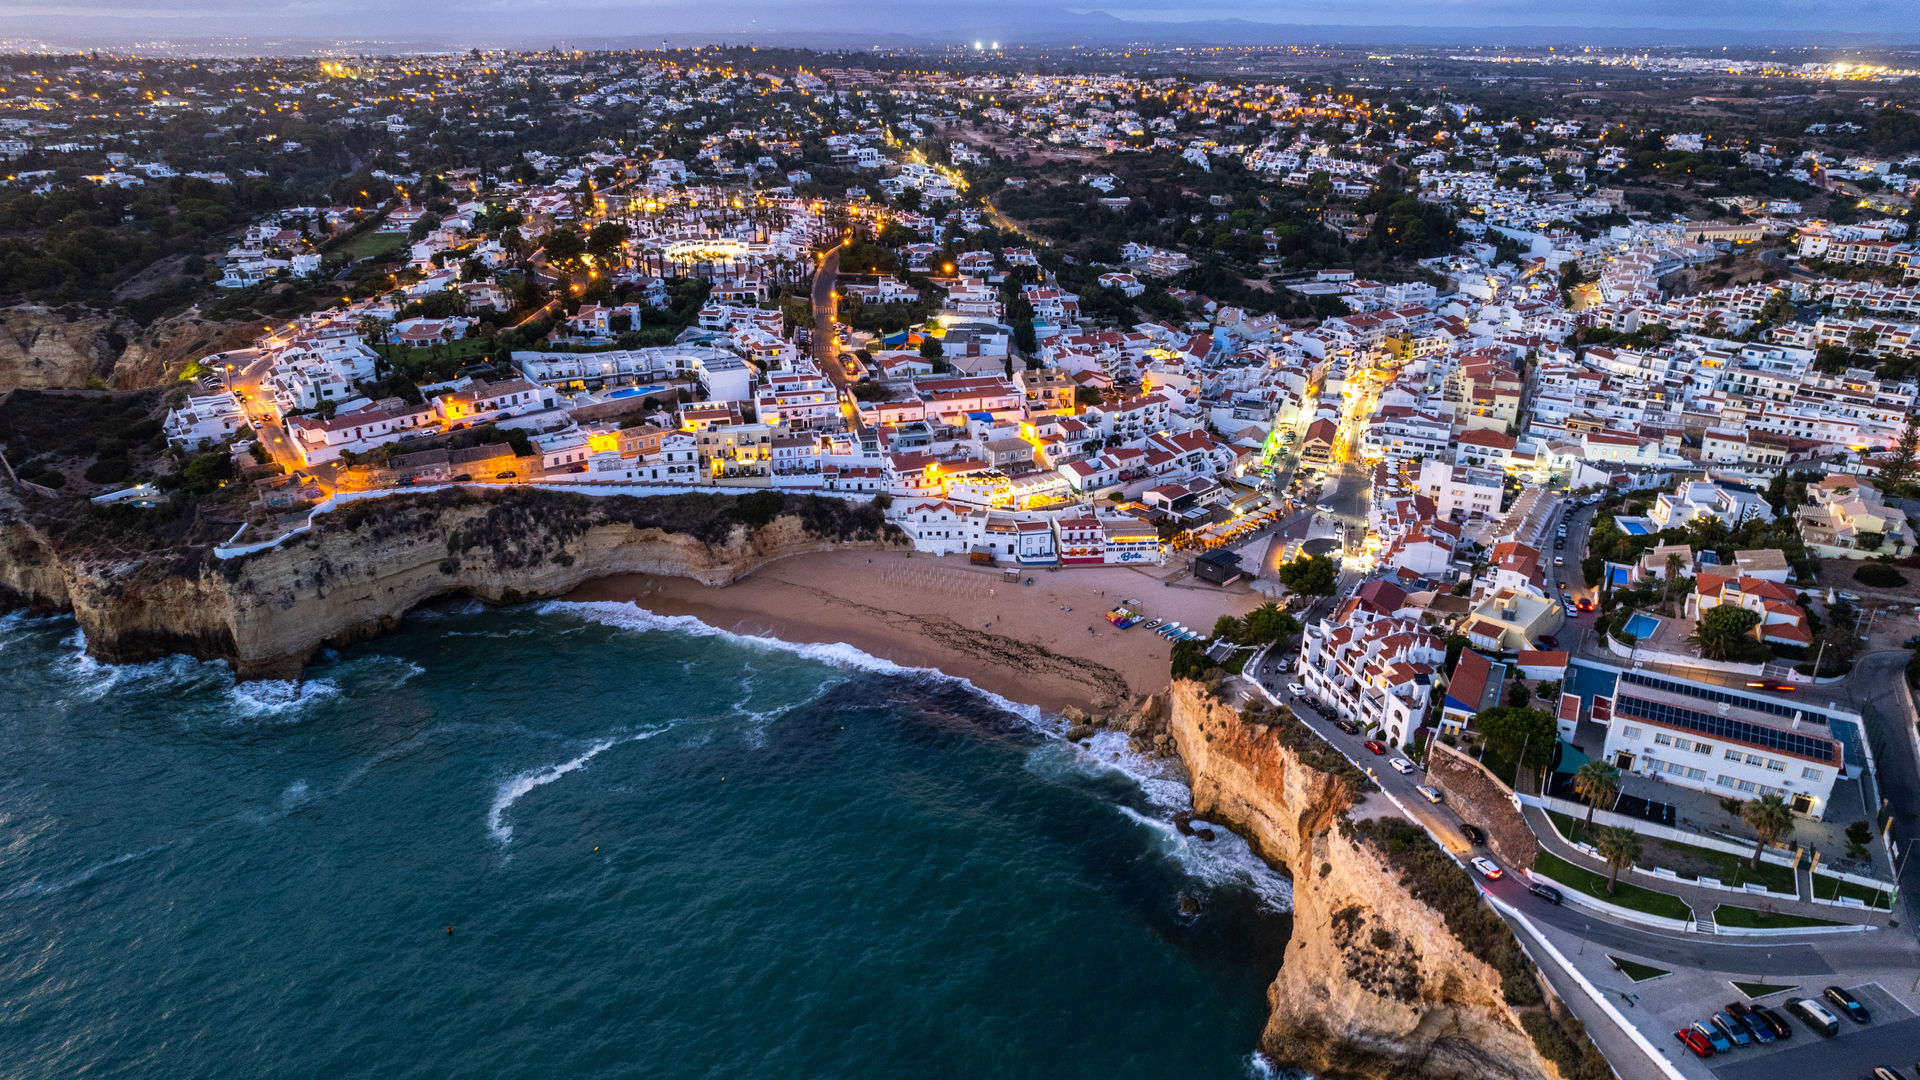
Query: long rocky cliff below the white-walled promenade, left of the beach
372, 562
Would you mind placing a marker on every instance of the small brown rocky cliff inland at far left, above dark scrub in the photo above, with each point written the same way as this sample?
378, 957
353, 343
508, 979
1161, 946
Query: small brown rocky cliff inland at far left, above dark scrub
43, 349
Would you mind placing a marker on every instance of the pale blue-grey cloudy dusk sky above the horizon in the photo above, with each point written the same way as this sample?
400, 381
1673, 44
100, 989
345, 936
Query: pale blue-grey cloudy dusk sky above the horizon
542, 22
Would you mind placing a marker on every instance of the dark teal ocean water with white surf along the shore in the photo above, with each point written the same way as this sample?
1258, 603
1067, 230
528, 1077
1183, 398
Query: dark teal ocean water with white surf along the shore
661, 850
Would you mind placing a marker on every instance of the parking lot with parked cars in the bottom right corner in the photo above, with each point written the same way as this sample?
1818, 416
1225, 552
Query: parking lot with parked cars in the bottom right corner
1892, 1041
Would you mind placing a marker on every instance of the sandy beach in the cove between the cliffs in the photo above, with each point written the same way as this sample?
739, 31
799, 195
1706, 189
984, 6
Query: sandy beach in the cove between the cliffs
1045, 643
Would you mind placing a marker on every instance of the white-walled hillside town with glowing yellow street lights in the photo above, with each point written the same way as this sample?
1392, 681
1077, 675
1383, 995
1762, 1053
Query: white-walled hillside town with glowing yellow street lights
1547, 424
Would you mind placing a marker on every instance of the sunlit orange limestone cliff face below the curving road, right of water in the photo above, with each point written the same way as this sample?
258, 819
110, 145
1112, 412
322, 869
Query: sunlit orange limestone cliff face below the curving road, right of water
1374, 983
